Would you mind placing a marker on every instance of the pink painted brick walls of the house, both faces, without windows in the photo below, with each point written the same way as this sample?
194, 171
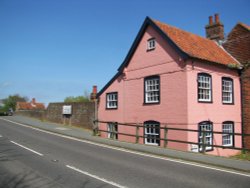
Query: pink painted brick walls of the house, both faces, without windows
178, 106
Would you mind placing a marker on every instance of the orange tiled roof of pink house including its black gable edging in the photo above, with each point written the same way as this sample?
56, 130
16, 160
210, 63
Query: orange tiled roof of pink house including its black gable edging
186, 44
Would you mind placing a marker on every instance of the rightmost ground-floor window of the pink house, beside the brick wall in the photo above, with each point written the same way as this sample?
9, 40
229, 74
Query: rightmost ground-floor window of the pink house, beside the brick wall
227, 139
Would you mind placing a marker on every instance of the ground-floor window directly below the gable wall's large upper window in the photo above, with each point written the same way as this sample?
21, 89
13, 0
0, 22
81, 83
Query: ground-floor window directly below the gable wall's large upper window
152, 132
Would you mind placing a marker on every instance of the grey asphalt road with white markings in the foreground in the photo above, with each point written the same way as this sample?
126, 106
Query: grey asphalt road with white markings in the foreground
31, 158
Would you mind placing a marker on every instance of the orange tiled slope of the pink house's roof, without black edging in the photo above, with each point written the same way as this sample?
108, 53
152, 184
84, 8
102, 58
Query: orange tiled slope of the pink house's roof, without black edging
196, 46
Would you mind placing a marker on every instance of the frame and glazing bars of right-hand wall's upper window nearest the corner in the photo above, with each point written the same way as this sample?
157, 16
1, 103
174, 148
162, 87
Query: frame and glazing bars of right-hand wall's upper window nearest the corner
210, 100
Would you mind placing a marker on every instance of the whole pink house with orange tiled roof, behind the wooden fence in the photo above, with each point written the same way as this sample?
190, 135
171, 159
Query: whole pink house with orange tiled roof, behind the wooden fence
177, 79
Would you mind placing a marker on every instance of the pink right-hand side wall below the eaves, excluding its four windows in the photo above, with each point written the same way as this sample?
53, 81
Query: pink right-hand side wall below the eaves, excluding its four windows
217, 112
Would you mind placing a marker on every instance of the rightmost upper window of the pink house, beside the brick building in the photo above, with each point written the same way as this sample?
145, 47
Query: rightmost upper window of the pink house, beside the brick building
227, 90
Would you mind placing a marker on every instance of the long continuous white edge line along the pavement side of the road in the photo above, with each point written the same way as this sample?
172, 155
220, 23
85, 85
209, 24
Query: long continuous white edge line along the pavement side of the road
133, 152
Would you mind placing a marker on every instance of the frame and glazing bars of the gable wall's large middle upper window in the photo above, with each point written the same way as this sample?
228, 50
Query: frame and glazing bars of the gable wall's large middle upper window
146, 102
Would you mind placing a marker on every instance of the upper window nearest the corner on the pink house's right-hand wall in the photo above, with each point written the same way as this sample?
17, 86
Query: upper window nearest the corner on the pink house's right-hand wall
204, 87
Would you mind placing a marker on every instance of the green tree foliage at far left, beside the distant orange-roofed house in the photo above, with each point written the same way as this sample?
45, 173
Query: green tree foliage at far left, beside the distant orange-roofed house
12, 100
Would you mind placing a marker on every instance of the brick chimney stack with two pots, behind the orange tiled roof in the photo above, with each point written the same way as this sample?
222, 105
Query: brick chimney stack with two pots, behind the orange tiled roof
215, 30
